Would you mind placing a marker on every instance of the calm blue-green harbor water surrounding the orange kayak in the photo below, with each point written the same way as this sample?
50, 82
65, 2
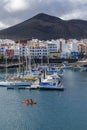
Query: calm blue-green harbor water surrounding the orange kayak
66, 110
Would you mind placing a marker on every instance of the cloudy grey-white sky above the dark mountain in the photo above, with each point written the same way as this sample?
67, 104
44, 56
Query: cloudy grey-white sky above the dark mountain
16, 11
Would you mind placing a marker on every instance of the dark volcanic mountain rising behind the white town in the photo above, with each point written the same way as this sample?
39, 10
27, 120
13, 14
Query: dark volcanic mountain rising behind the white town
46, 27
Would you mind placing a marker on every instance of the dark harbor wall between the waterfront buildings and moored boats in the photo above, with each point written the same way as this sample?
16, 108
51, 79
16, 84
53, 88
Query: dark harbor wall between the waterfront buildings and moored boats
15, 63
